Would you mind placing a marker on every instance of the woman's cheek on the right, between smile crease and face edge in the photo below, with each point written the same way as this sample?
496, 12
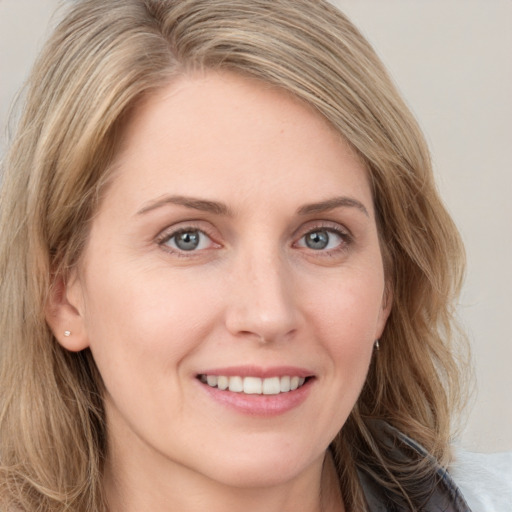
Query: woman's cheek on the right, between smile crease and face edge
343, 314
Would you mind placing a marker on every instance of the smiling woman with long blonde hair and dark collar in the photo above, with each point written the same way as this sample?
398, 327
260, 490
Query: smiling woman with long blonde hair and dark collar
227, 277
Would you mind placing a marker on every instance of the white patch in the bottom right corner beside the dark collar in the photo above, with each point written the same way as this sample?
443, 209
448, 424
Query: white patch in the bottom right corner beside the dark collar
485, 479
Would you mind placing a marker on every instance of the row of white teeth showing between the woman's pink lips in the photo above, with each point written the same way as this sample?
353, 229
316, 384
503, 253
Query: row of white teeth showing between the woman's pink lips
254, 385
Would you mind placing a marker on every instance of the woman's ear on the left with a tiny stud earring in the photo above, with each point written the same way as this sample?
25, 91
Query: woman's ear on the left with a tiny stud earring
64, 313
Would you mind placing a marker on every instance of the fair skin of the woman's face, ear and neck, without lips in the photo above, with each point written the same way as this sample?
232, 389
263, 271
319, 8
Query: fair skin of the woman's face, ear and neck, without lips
253, 292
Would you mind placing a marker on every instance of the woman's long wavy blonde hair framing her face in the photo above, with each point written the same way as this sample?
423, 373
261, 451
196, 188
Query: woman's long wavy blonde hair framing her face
101, 59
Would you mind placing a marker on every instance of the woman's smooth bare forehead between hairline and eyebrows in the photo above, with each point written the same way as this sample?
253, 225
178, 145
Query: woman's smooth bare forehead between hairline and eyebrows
222, 132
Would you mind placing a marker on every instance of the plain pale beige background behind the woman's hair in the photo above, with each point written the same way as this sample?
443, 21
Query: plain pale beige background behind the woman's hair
452, 60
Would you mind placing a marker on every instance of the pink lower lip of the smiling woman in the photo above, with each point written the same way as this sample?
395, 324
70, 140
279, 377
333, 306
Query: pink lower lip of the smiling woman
260, 405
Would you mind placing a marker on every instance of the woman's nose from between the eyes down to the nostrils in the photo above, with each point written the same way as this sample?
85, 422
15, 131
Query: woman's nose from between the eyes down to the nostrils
261, 303
